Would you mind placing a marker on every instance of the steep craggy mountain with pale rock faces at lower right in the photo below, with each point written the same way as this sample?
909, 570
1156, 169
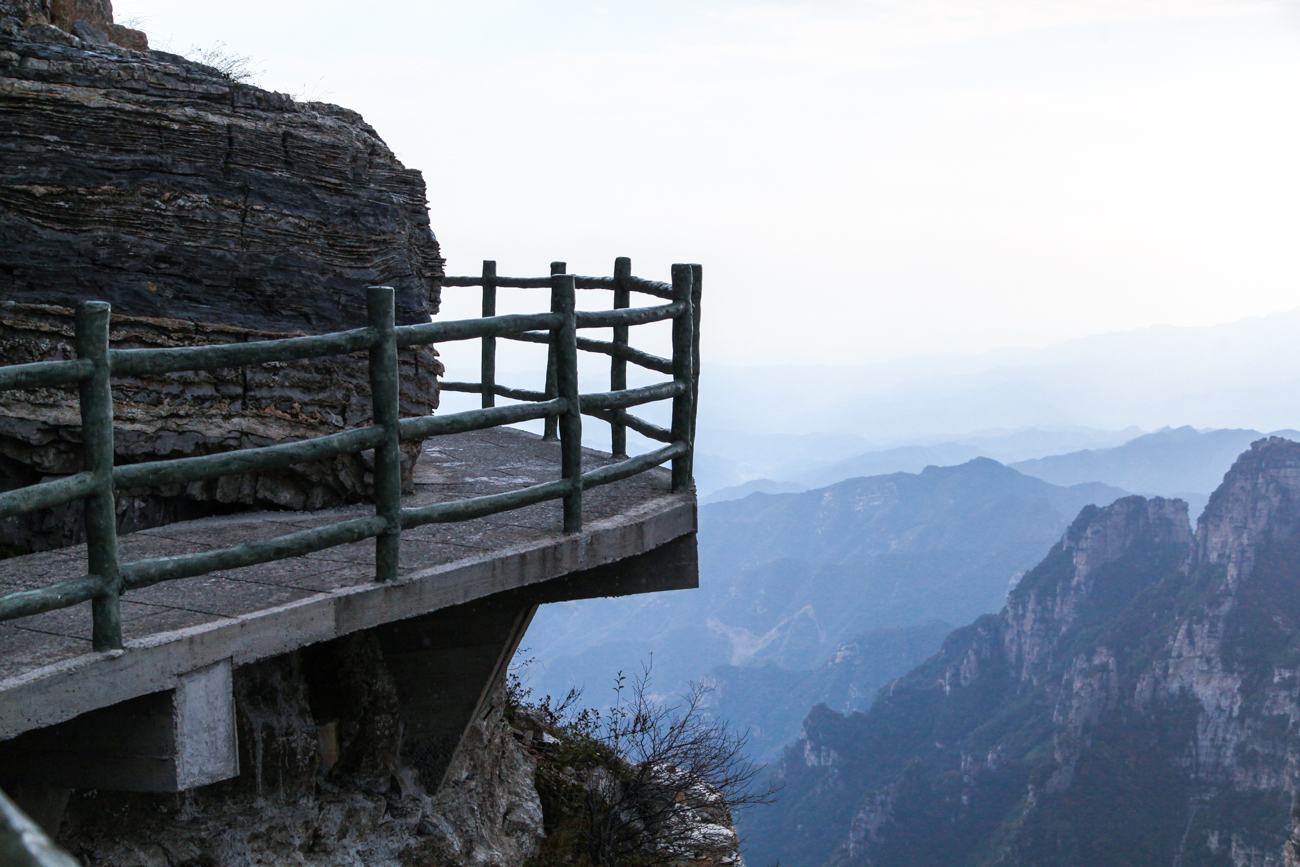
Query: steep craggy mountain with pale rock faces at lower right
1136, 703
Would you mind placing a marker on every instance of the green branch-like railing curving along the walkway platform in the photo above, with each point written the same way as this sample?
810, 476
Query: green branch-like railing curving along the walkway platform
561, 406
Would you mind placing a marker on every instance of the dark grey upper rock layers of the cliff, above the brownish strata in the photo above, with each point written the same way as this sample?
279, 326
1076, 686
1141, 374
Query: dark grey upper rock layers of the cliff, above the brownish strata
170, 190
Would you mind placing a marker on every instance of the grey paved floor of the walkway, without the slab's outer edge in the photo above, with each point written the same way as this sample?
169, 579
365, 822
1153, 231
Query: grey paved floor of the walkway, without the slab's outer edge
452, 469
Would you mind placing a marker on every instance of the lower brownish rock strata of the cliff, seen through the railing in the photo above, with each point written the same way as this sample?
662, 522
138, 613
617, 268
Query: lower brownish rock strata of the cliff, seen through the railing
192, 414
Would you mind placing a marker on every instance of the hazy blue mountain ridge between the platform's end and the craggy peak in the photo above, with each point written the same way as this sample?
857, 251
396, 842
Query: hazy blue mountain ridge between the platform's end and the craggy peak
788, 579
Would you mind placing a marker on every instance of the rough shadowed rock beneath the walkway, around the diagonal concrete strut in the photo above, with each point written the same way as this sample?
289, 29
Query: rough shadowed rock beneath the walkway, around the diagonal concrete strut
326, 790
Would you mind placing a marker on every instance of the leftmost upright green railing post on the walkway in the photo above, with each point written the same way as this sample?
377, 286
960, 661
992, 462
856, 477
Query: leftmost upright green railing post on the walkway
97, 411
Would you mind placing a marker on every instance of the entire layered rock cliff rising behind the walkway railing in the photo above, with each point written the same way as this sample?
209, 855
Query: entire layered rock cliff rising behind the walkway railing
206, 211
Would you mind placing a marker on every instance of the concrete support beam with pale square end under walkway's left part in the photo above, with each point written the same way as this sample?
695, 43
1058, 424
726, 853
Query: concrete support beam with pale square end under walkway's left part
168, 742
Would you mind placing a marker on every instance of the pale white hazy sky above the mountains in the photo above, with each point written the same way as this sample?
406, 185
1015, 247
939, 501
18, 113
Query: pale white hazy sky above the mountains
860, 180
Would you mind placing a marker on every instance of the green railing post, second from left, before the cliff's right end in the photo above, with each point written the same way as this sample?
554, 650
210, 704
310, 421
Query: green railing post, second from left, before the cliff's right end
388, 457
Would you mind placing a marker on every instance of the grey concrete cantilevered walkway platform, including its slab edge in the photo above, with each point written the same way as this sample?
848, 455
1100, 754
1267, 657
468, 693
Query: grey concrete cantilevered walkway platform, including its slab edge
49, 673
